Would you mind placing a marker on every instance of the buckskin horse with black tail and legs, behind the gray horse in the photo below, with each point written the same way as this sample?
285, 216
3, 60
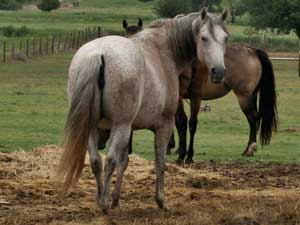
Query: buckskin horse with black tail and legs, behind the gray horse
249, 71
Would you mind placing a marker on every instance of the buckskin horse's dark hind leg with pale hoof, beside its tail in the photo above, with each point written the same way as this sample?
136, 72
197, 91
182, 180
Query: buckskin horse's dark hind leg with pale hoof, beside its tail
249, 108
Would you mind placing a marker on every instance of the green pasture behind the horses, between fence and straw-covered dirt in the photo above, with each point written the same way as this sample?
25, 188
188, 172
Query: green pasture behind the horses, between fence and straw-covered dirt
33, 109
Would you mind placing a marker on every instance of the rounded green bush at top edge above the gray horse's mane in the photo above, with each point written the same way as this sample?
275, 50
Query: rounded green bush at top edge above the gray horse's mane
171, 8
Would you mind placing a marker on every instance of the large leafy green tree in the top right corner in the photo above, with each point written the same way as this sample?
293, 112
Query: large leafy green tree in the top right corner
281, 14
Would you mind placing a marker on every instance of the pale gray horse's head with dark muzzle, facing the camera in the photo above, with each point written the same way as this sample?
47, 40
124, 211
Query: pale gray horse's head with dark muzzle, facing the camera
211, 37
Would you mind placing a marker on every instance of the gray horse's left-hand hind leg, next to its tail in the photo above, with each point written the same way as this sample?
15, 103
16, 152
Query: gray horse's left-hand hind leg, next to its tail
96, 161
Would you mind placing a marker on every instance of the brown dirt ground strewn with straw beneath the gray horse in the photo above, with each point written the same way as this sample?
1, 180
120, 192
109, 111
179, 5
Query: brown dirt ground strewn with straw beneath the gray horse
204, 193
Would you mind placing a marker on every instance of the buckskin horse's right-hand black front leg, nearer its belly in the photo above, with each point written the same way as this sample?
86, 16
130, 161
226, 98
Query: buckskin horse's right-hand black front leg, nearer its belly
195, 104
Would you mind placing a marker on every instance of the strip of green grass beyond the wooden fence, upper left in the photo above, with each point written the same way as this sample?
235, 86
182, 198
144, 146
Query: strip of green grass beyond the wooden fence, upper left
105, 13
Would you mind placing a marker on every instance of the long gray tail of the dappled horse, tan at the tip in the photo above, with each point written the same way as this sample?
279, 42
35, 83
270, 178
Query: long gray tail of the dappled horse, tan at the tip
84, 113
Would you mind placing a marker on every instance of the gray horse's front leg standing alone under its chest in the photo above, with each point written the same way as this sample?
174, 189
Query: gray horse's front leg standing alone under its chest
162, 137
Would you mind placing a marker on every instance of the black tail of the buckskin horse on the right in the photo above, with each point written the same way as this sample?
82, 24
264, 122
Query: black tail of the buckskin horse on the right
267, 100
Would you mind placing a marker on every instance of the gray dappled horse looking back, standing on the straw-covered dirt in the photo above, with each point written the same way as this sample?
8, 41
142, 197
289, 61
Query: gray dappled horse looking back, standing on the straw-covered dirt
121, 84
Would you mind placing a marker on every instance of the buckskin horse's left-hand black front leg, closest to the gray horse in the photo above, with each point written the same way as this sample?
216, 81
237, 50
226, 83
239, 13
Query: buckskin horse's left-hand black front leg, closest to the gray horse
181, 125
